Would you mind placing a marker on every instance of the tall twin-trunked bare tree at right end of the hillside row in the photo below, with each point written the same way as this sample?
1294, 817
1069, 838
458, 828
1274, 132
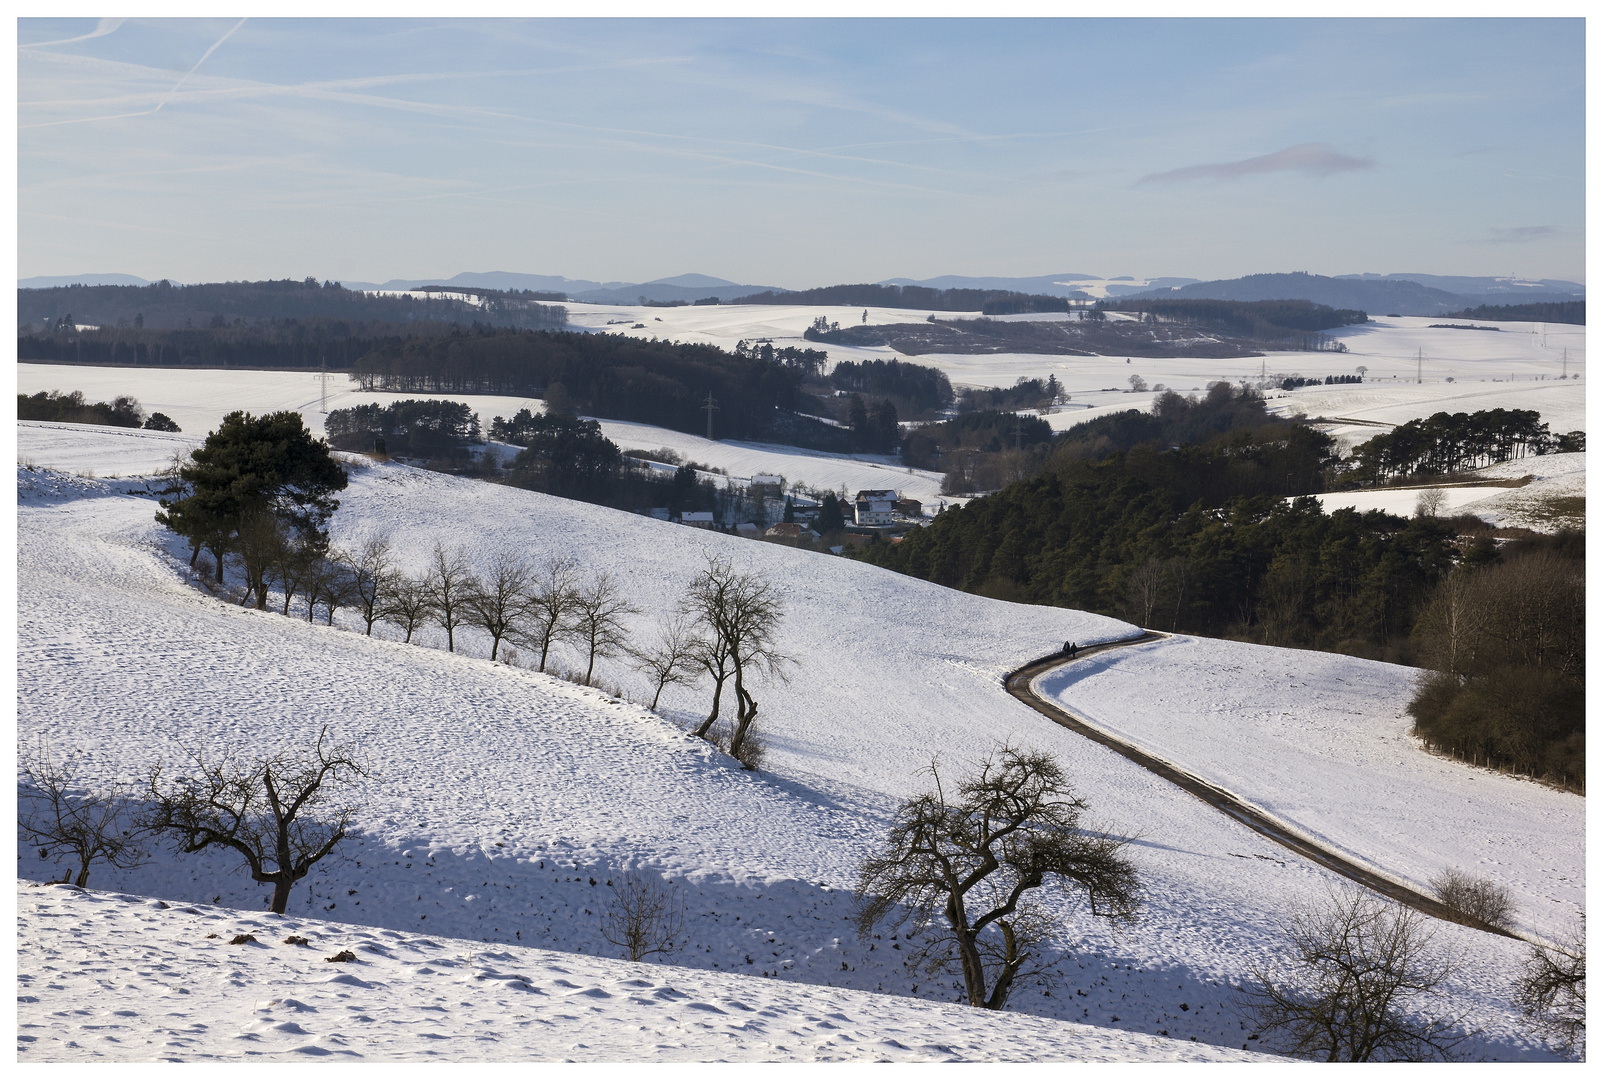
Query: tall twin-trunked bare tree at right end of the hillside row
740, 613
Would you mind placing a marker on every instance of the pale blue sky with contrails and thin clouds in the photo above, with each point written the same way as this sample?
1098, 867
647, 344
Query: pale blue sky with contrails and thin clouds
799, 153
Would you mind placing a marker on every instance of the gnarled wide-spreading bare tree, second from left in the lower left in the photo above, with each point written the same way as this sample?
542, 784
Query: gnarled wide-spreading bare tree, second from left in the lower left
285, 813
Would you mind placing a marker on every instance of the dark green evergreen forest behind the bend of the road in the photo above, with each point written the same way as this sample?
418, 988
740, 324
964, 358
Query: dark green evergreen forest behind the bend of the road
1213, 538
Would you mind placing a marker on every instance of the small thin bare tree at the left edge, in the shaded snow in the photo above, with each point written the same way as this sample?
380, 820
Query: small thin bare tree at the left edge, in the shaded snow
62, 810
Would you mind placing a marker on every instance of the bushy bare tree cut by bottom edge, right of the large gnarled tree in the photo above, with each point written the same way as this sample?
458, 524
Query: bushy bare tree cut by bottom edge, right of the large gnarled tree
1360, 969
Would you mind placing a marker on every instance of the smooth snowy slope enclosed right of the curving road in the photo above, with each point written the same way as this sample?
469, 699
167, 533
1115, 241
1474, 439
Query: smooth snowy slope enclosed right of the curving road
1322, 743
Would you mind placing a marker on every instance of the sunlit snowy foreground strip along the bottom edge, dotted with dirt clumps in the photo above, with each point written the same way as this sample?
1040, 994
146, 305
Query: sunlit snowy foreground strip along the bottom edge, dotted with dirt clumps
161, 983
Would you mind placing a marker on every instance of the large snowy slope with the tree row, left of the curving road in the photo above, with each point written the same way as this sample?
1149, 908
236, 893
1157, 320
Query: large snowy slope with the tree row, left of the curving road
503, 792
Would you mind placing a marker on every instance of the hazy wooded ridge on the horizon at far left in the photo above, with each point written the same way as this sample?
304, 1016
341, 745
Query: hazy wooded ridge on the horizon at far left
220, 305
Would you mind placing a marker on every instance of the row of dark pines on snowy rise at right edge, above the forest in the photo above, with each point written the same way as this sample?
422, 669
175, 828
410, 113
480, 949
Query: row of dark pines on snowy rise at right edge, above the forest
1453, 443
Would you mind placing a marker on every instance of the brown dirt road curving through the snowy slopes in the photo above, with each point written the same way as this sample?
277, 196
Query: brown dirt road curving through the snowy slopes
1019, 685
